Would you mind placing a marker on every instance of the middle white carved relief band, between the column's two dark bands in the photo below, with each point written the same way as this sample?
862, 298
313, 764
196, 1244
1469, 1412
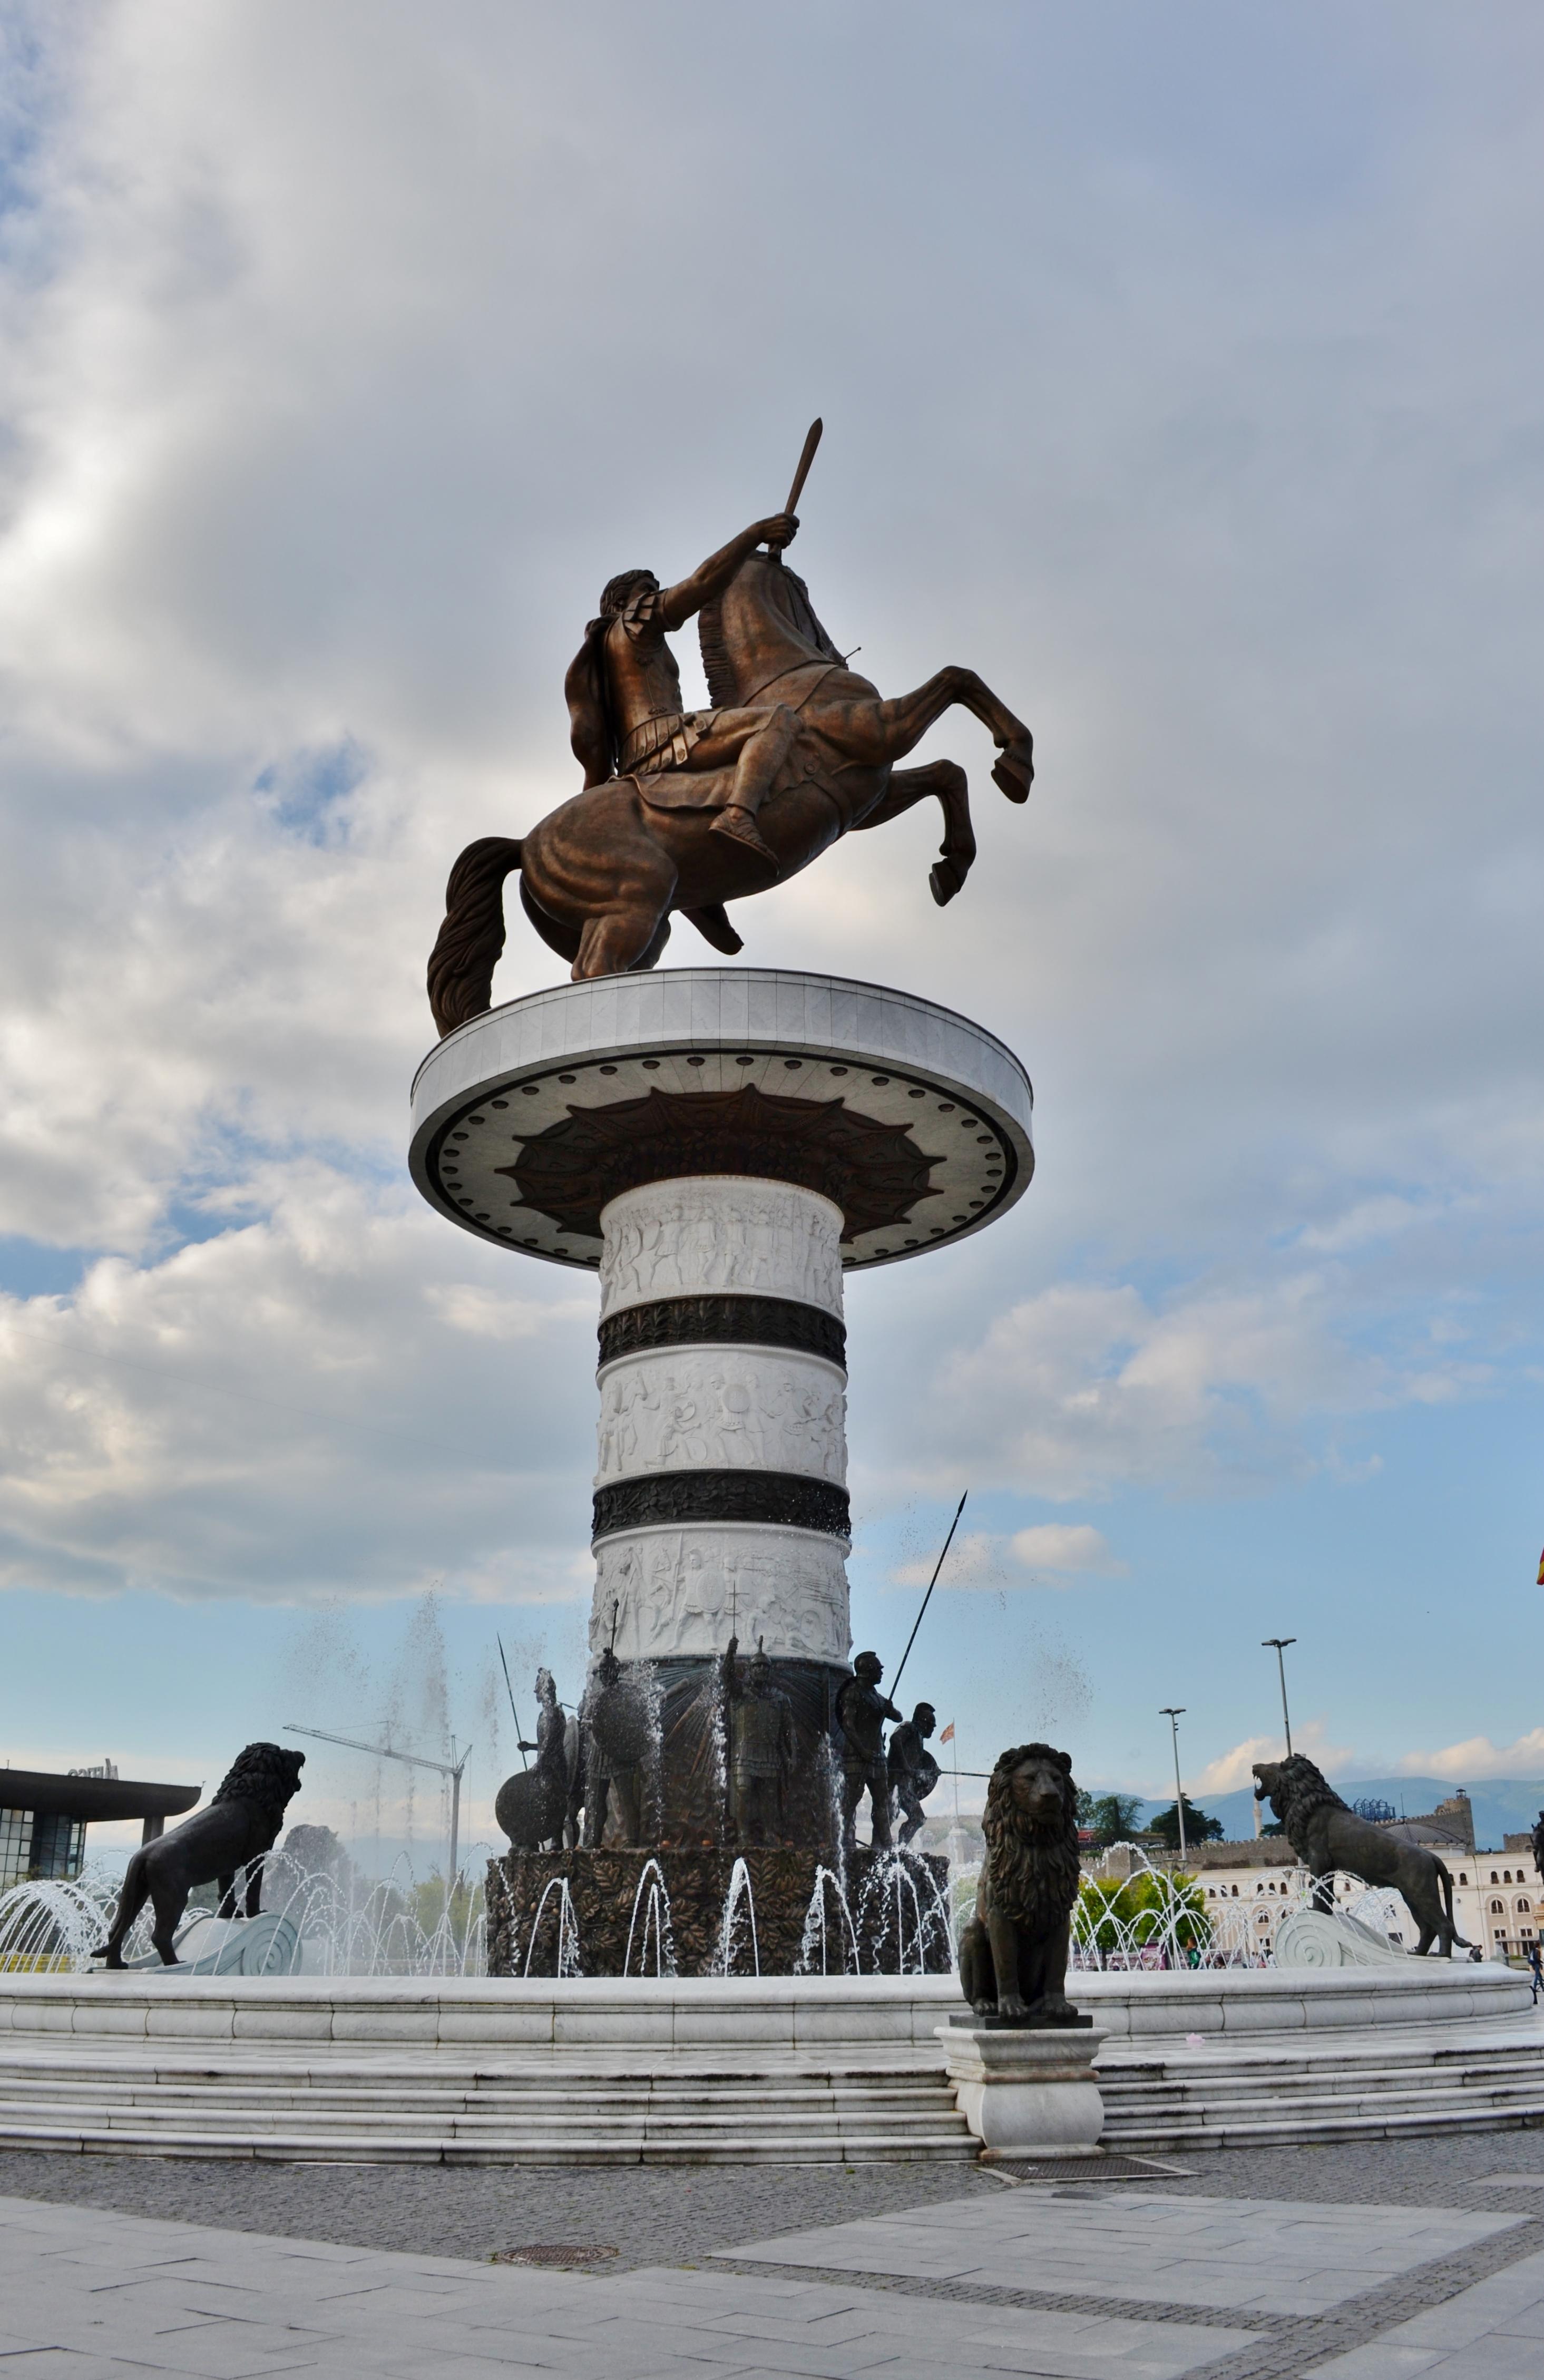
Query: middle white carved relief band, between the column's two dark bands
722, 1410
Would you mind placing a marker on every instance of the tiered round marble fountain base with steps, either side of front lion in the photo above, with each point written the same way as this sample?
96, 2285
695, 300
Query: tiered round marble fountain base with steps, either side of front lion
741, 2072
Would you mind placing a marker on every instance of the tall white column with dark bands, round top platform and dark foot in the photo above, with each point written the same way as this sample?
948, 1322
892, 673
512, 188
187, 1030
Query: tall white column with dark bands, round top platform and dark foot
722, 1146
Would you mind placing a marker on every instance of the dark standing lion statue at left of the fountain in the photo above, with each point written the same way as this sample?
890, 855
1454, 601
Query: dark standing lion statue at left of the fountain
239, 1827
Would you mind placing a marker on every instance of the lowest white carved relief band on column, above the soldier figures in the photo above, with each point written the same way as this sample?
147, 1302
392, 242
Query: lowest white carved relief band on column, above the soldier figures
679, 1591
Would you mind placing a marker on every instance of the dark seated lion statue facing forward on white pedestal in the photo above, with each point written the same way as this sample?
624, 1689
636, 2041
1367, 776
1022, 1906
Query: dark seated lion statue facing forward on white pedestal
1012, 1955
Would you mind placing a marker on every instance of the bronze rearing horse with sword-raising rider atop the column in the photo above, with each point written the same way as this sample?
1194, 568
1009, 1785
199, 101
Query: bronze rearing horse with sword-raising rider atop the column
693, 810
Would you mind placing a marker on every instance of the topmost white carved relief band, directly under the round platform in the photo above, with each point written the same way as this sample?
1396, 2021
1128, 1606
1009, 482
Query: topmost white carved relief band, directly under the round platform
722, 1234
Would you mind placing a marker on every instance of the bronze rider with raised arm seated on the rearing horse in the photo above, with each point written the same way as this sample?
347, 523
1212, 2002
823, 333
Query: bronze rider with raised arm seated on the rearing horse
624, 701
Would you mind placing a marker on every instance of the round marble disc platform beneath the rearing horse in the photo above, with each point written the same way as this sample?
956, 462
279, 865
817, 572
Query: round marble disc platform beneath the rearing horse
525, 1117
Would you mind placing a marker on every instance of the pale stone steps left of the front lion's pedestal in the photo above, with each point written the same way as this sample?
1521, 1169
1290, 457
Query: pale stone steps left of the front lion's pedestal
470, 2117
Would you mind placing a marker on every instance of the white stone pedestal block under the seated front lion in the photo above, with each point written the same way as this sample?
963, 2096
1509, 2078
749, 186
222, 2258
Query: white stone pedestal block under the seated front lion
1027, 2093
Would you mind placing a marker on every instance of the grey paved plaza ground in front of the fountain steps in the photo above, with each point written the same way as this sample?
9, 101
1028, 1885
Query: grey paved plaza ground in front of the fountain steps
1364, 2262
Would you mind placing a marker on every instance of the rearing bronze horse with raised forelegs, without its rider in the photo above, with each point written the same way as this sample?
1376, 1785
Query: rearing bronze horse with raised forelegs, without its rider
603, 875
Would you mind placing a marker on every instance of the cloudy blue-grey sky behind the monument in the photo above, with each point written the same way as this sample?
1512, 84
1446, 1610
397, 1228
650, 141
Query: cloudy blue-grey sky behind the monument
1181, 375
